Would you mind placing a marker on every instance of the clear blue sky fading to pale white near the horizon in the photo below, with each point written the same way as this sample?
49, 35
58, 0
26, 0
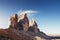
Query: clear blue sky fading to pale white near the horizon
47, 16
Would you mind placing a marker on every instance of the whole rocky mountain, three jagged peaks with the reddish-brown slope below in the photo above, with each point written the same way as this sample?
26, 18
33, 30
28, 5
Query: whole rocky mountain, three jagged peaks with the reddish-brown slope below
20, 28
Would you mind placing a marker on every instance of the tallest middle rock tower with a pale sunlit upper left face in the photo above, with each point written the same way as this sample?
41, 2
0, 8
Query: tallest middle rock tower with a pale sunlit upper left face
23, 22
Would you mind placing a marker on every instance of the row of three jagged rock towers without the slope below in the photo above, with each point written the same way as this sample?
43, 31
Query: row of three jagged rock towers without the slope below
22, 23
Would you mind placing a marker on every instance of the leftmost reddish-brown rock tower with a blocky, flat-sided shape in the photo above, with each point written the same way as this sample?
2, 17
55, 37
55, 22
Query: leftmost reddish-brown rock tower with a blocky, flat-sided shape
13, 21
